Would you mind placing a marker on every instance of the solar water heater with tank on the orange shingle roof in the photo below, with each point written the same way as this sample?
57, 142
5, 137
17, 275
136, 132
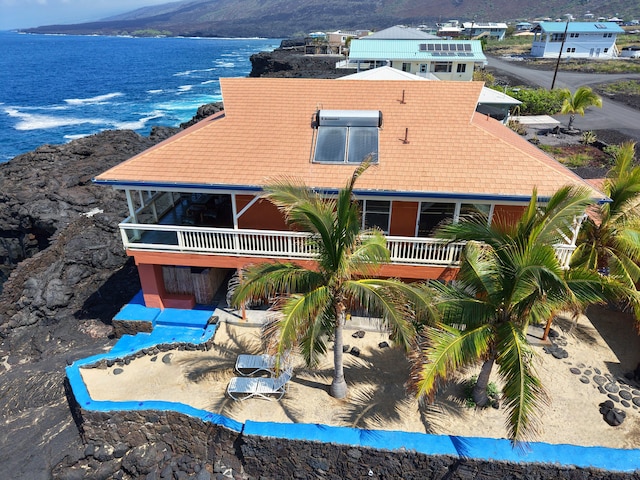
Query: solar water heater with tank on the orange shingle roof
346, 136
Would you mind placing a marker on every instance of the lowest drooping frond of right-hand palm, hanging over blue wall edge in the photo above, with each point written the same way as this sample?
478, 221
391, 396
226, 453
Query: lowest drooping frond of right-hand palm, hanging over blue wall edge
523, 392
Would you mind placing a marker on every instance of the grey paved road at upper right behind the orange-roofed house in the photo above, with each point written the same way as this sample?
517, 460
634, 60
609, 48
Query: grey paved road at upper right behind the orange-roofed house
612, 115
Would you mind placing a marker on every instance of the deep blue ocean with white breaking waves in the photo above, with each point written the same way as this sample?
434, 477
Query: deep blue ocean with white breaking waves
55, 88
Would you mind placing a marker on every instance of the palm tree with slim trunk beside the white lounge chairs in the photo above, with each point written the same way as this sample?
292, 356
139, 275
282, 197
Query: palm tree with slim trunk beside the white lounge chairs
316, 300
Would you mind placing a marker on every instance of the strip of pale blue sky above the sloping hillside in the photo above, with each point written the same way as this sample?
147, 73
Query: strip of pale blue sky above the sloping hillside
16, 14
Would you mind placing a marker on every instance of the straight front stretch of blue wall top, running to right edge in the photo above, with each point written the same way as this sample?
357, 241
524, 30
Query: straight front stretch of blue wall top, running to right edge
478, 448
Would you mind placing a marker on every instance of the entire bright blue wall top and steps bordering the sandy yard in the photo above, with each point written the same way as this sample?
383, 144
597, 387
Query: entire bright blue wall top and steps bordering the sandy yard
490, 449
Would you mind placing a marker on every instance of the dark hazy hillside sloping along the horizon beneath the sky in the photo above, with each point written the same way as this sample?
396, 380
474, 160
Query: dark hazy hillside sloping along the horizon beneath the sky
283, 18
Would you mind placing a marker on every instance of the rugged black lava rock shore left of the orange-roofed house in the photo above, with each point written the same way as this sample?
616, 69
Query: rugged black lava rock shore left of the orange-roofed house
64, 275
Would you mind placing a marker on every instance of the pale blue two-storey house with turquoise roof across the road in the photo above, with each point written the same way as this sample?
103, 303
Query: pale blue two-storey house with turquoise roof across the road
581, 39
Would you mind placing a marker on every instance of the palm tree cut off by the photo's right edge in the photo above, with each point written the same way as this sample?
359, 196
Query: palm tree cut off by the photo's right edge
609, 240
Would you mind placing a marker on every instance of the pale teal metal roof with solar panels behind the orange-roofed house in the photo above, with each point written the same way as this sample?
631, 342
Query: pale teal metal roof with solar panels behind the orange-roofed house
413, 50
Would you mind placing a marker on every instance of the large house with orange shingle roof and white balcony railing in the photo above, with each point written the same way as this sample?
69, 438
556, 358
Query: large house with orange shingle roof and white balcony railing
195, 207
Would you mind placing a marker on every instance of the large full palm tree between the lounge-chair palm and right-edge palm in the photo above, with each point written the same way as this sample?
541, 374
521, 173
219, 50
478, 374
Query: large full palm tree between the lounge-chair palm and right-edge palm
509, 278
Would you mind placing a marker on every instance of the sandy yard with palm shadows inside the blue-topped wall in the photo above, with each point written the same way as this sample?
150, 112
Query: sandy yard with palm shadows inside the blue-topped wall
605, 343
